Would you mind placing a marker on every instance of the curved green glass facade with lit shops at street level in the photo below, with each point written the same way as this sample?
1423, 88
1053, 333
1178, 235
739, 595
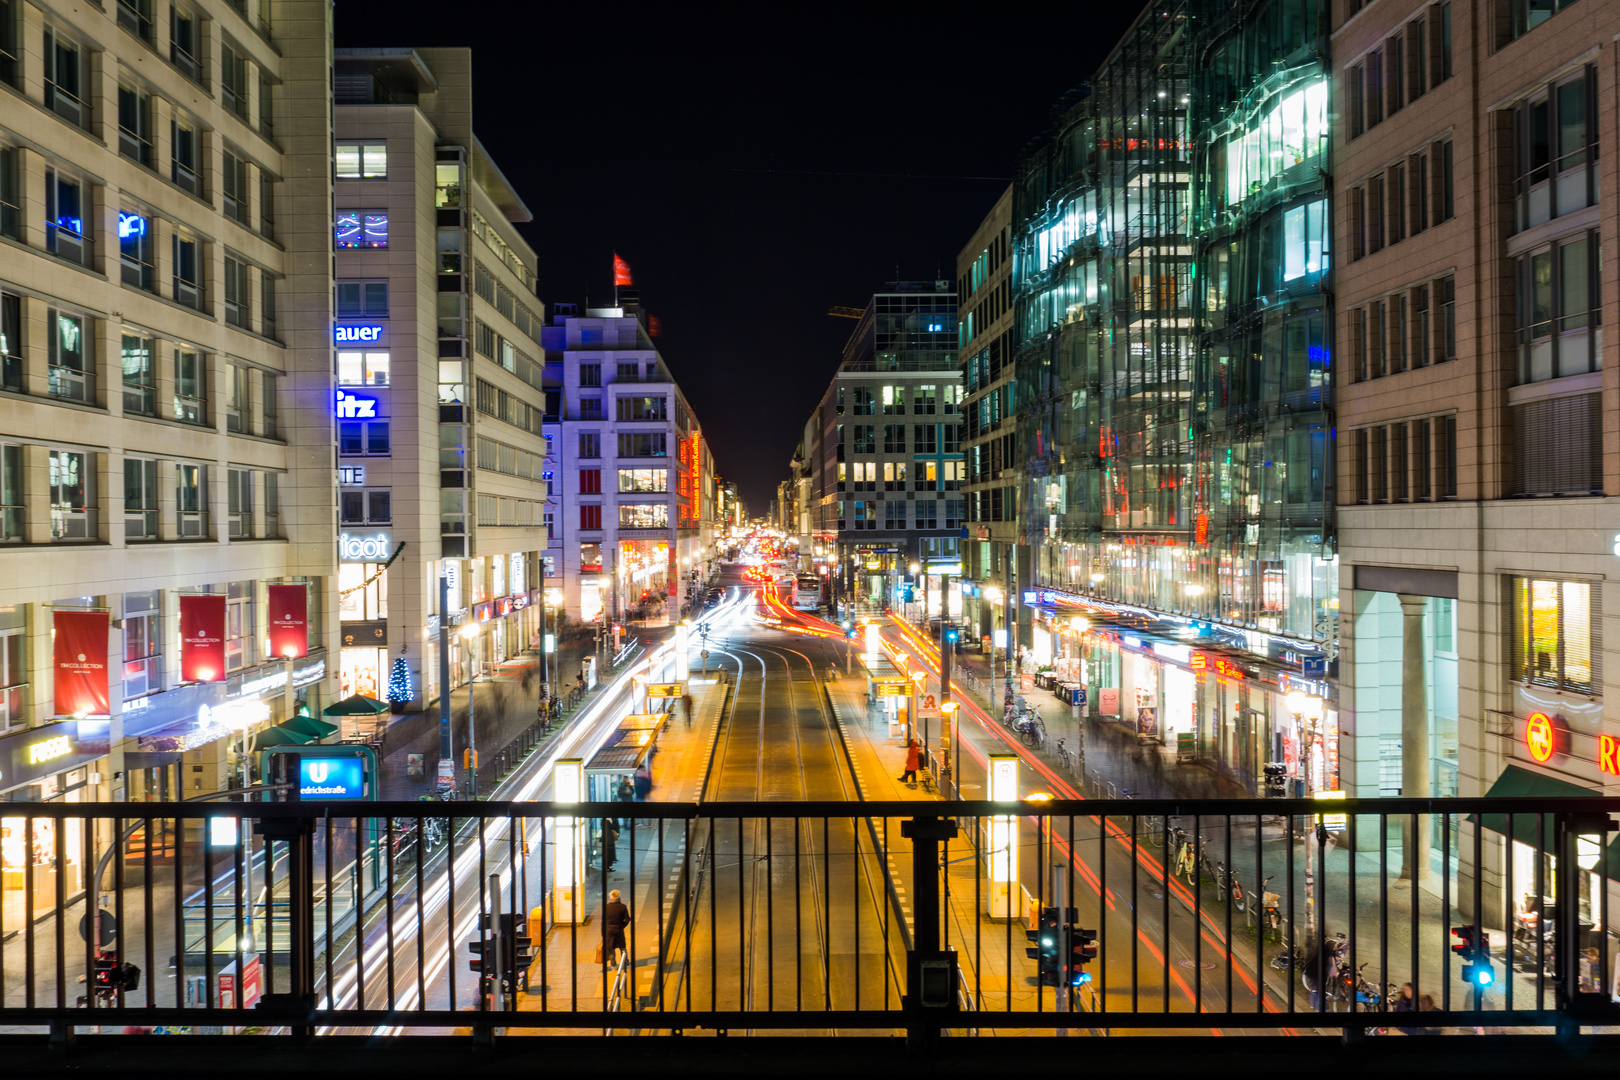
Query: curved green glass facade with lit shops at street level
1170, 260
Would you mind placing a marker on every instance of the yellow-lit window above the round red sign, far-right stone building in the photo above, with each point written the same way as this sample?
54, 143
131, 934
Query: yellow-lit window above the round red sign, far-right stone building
1558, 636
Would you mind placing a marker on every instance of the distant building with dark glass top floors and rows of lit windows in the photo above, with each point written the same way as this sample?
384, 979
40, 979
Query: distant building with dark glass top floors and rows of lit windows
890, 466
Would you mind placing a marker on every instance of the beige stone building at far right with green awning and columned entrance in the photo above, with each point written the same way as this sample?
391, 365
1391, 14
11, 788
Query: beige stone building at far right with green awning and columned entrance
1477, 477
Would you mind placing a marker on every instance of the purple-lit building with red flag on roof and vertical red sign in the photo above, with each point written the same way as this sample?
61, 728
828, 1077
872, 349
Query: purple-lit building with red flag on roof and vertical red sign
636, 482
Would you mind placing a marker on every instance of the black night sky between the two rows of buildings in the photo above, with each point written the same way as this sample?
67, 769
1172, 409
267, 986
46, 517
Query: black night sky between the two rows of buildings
754, 166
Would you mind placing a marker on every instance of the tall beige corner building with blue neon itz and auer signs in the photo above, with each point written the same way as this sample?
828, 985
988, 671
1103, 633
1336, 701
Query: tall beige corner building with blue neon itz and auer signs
440, 380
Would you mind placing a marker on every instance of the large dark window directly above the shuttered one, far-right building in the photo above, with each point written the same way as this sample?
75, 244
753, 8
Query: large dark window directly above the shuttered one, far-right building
1559, 310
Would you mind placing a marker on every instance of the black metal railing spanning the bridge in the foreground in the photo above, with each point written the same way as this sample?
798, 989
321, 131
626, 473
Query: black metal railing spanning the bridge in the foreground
775, 917
